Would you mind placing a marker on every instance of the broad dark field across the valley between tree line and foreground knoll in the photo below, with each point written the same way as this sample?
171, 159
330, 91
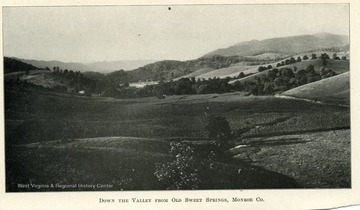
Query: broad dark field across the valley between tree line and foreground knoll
34, 117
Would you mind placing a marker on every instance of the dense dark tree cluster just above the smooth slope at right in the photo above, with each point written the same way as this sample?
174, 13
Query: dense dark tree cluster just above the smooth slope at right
284, 79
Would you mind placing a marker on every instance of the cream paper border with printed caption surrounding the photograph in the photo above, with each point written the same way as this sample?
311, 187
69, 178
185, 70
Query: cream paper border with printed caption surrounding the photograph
274, 199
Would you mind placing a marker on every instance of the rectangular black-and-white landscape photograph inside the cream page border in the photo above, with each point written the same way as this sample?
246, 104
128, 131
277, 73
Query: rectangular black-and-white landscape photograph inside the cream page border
176, 97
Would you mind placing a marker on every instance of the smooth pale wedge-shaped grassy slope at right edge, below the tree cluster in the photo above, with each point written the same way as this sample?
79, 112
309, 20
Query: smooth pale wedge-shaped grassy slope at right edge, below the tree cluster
335, 90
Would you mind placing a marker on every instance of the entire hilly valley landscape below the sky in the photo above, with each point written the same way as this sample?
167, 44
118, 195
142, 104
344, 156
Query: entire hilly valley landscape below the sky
256, 115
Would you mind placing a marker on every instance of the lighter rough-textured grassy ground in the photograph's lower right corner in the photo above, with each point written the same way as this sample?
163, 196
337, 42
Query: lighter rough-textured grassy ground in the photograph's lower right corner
315, 160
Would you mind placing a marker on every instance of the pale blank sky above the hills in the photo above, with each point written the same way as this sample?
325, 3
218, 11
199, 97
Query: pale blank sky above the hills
111, 33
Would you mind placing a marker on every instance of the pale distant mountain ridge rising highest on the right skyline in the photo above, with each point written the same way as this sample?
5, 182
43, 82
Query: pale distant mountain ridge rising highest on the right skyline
286, 45
